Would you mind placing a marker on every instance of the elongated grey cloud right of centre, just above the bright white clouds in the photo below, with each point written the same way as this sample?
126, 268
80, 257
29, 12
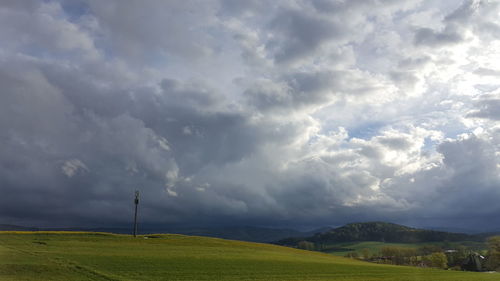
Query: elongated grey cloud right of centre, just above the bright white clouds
311, 91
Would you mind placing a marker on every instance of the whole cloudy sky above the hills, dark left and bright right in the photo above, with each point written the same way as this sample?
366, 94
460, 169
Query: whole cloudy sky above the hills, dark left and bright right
266, 113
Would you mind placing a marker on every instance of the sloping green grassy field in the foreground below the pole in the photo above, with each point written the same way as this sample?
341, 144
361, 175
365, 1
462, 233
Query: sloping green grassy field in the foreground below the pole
97, 256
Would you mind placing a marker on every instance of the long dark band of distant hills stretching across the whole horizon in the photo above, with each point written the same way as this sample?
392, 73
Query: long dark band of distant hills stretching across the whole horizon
370, 231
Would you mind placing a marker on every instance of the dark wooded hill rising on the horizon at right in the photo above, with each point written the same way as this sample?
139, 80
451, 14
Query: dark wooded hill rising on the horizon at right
380, 231
